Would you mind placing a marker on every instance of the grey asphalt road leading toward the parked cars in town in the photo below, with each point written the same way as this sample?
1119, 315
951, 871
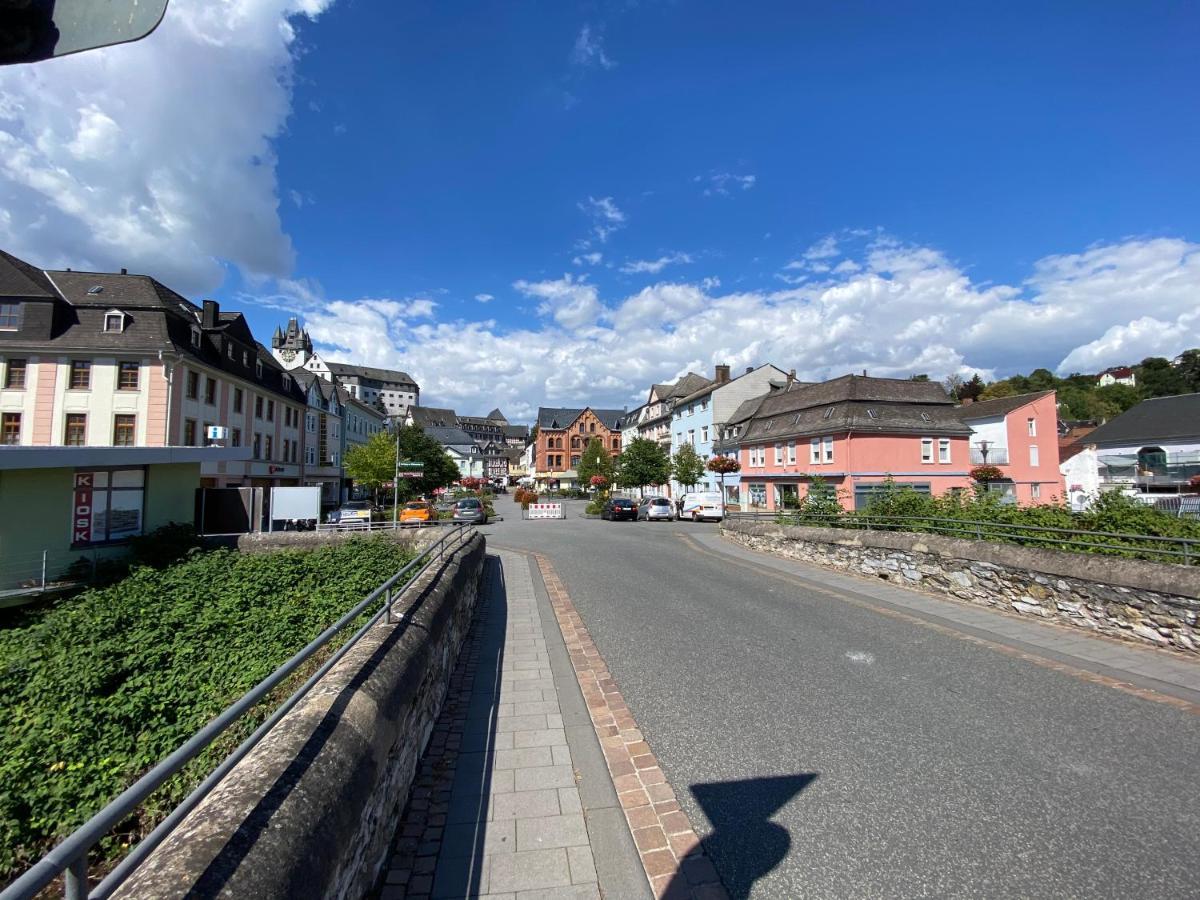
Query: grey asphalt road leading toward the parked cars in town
825, 749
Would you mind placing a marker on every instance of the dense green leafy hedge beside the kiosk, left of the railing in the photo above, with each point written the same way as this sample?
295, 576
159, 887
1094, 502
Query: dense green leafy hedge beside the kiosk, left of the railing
101, 687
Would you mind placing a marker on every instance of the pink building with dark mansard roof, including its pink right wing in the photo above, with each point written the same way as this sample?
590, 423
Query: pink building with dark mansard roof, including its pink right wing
856, 433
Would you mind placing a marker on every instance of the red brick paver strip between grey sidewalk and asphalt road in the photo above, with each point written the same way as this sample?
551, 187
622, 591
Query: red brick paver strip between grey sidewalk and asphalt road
662, 831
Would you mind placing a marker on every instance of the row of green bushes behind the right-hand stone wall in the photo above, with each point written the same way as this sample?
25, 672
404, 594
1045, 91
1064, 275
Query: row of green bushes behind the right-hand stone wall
1112, 513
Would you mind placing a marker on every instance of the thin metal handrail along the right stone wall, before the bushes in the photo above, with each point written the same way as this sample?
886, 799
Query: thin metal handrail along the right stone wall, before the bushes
1189, 551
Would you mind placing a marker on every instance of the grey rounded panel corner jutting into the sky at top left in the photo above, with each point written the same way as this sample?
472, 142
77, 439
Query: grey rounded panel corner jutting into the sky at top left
35, 31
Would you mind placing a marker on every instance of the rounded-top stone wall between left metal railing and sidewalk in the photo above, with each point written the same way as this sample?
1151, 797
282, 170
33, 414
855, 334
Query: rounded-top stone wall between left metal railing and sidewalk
313, 809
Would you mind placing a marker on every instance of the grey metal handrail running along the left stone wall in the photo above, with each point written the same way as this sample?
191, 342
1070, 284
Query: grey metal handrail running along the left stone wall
70, 857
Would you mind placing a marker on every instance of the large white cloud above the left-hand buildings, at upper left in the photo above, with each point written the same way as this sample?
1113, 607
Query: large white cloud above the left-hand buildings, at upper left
155, 155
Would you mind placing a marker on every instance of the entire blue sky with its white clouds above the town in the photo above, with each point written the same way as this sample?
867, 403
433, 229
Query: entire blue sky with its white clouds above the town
827, 187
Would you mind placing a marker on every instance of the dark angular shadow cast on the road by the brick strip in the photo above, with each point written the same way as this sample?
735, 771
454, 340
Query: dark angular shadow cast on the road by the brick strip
746, 845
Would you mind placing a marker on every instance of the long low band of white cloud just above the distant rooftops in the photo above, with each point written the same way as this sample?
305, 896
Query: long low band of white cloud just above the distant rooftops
905, 310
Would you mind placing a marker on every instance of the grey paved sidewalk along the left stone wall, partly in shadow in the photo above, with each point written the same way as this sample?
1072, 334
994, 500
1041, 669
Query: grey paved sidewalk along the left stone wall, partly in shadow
496, 808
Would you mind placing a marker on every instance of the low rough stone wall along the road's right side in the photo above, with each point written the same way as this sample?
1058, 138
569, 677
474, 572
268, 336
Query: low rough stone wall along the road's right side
1150, 603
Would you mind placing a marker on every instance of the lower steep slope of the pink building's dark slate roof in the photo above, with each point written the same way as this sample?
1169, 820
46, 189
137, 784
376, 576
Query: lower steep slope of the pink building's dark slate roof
857, 417
